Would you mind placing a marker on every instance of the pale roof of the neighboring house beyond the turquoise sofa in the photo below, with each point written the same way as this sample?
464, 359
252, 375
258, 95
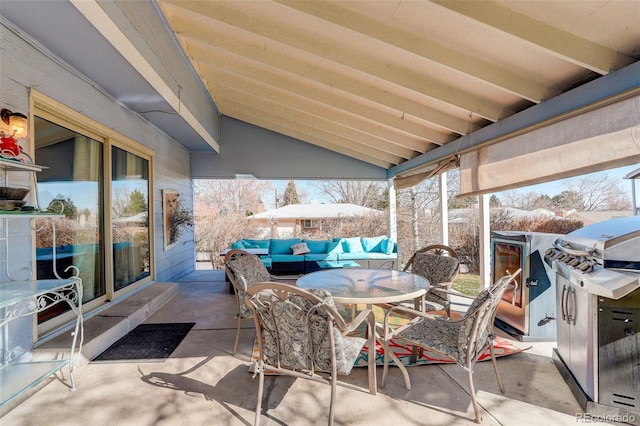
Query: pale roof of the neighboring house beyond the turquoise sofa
316, 211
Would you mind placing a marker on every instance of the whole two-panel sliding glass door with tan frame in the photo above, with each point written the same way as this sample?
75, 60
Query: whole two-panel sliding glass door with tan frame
103, 189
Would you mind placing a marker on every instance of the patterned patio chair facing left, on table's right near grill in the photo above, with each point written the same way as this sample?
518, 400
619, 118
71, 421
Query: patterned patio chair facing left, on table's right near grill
464, 340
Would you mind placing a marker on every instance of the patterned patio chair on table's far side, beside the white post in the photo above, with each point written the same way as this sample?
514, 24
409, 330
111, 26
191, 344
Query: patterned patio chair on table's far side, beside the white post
440, 265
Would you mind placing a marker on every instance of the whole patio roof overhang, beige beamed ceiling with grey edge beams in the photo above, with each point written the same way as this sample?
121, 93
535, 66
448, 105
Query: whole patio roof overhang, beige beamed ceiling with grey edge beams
345, 90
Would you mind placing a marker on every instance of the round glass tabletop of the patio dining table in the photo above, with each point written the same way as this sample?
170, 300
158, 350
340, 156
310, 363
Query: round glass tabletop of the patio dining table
366, 286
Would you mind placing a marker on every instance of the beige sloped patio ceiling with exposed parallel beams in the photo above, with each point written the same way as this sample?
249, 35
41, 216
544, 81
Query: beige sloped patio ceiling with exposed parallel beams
386, 81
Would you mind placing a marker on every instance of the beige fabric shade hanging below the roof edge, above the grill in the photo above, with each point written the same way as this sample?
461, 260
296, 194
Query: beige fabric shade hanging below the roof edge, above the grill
597, 139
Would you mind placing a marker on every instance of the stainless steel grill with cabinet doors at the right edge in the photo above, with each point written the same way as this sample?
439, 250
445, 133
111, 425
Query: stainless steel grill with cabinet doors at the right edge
598, 303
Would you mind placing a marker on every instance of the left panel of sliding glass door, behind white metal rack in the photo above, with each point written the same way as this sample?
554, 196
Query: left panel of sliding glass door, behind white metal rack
72, 182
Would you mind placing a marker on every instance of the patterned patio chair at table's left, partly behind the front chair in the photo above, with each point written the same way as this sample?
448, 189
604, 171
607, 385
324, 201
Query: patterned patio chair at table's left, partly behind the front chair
244, 270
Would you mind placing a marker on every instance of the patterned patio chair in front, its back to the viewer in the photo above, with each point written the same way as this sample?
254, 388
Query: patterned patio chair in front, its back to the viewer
300, 333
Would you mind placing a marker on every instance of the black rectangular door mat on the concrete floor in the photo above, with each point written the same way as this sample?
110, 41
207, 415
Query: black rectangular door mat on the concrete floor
146, 342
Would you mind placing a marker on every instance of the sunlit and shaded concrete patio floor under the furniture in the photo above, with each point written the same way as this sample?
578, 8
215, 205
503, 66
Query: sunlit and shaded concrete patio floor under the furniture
202, 383
